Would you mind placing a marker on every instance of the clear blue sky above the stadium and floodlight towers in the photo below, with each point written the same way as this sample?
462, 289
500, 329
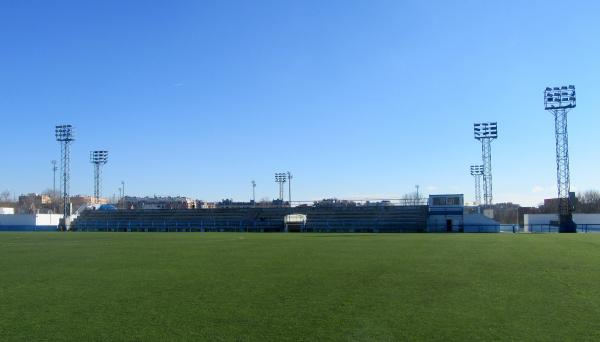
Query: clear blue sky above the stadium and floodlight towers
356, 98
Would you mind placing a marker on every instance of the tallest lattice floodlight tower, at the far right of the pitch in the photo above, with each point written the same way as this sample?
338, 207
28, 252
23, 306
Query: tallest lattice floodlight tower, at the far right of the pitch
559, 101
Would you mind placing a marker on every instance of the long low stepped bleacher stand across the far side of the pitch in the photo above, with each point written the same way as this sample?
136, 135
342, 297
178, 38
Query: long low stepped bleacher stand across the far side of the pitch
319, 219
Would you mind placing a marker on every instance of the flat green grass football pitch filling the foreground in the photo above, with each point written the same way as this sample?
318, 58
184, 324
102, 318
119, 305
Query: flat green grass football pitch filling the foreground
311, 287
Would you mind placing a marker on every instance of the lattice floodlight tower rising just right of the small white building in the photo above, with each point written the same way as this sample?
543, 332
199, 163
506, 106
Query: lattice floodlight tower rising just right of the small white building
486, 132
